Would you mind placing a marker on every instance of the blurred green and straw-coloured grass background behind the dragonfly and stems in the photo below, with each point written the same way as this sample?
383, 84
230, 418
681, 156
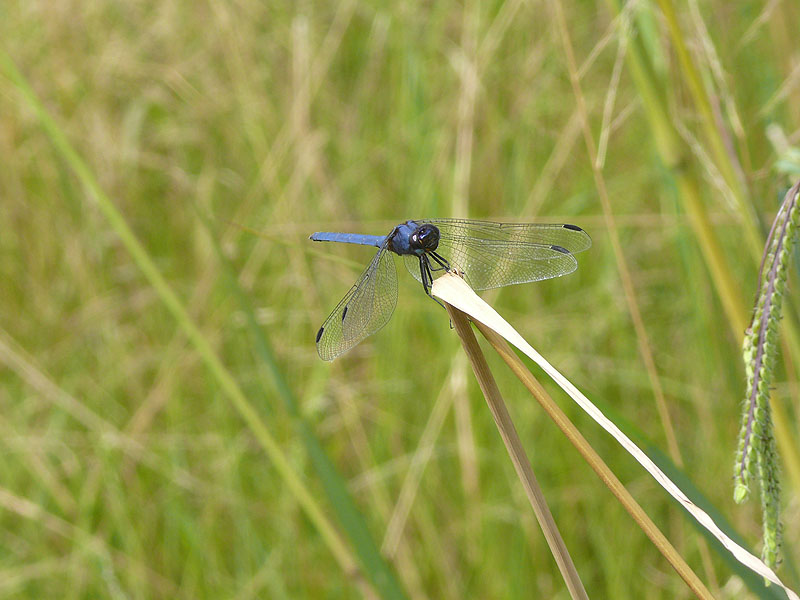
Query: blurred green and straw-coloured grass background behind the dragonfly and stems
126, 471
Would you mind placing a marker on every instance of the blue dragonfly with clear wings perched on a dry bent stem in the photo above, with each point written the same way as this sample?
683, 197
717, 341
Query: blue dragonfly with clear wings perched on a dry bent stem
487, 254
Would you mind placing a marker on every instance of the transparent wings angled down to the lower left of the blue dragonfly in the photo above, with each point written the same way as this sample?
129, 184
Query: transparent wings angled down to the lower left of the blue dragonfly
364, 309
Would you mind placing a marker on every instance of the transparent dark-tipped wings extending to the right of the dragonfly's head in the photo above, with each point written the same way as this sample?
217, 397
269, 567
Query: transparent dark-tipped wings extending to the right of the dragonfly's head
498, 254
